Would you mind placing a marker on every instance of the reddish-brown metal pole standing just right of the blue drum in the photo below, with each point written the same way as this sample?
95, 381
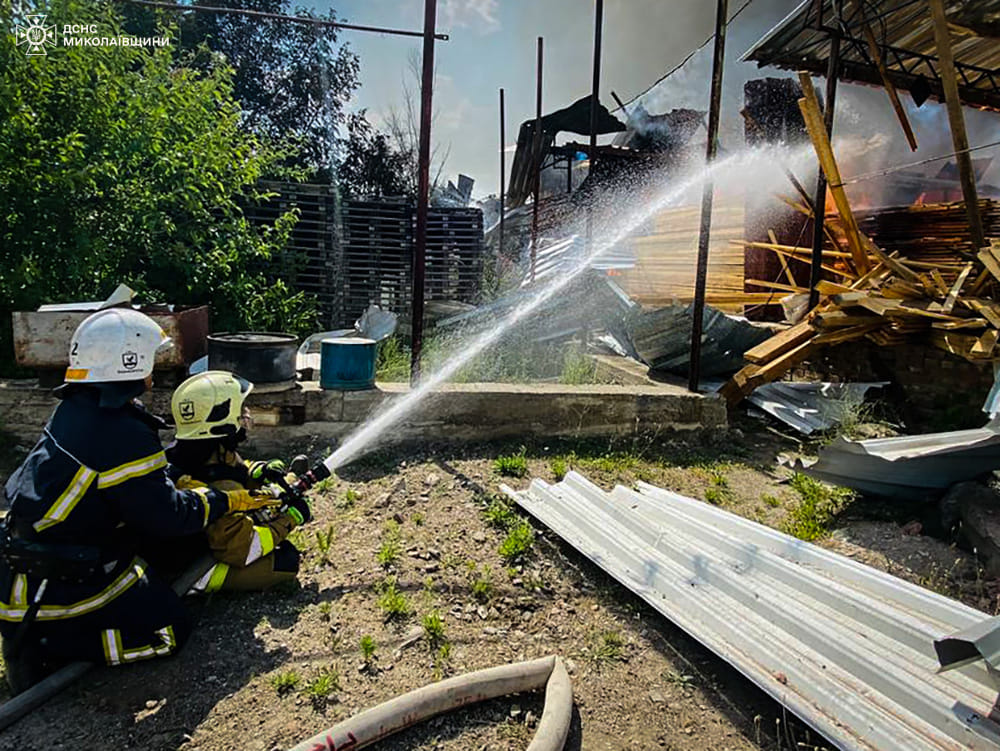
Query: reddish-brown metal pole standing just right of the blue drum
423, 190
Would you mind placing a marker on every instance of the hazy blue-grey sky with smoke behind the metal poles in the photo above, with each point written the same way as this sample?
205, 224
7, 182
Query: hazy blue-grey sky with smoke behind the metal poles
493, 45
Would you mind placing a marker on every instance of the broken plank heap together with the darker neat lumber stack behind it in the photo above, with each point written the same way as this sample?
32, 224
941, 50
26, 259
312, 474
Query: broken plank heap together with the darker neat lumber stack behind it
929, 286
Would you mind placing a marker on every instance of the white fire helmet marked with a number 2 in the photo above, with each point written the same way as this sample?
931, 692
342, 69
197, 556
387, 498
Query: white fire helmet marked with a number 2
118, 344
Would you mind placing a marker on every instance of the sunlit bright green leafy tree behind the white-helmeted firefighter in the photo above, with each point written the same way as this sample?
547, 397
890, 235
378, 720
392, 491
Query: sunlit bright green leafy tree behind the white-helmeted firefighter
118, 165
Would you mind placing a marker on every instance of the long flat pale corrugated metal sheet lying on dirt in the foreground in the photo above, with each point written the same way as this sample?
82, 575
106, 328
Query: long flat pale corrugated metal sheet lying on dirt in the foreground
846, 648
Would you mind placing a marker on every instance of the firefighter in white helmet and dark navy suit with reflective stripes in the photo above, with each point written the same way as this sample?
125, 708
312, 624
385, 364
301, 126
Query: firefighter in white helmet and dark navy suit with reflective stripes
72, 586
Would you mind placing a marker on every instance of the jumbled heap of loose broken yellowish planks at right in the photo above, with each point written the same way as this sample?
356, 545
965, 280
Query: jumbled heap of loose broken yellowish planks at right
950, 303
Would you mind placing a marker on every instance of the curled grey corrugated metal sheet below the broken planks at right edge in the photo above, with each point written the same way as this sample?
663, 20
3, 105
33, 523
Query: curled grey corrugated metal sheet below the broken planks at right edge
908, 466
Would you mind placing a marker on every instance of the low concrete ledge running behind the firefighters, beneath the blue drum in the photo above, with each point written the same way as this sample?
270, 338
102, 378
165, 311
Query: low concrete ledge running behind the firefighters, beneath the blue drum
463, 412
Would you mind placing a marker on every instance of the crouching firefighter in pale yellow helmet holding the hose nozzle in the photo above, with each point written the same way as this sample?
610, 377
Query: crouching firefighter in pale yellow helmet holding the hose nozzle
252, 548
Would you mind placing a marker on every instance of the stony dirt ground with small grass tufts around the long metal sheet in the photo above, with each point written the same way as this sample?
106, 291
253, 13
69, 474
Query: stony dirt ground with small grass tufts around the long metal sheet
406, 536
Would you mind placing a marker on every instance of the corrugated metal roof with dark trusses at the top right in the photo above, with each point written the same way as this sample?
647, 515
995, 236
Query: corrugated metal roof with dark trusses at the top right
905, 32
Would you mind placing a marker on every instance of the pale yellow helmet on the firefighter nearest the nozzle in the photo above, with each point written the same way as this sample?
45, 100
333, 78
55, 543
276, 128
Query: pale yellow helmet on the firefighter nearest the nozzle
209, 405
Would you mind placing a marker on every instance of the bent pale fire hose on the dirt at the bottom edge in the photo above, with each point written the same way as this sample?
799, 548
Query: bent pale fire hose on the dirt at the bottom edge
383, 720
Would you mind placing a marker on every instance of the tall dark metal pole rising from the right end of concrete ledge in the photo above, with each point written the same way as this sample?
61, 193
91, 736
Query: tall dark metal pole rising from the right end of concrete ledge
715, 106
